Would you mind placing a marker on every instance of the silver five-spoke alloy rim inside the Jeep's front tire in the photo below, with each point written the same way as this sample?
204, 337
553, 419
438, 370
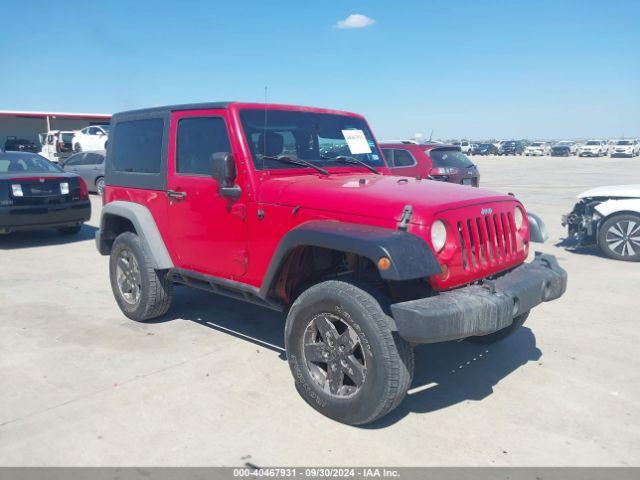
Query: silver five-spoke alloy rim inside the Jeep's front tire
334, 355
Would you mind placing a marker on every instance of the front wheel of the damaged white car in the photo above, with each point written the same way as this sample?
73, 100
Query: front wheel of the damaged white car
619, 237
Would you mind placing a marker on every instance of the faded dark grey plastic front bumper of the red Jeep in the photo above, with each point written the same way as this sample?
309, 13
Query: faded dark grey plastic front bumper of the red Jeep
481, 309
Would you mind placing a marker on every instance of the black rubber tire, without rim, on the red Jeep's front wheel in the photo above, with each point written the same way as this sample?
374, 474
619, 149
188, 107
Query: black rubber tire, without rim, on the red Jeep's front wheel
389, 358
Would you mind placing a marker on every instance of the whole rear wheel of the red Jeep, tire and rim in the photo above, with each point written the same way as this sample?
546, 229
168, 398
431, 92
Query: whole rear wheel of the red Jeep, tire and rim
142, 292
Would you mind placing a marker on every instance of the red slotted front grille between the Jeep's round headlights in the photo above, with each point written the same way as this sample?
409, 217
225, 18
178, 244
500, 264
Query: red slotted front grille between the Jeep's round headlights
487, 241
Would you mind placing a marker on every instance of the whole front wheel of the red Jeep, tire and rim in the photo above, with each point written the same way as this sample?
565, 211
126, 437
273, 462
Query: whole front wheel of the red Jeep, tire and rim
345, 360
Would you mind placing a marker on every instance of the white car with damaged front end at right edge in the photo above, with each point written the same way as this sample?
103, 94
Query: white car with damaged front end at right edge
608, 217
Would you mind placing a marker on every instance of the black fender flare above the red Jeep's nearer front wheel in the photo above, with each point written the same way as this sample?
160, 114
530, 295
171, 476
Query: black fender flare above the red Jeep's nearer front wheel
411, 257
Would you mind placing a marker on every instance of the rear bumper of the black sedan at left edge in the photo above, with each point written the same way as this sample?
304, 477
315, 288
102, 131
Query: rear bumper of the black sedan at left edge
33, 217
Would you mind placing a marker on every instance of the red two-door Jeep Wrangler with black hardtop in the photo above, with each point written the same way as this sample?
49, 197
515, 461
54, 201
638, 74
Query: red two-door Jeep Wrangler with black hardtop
293, 208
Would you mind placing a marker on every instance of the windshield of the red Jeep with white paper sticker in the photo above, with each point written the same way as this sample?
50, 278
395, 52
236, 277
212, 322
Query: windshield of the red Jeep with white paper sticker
314, 137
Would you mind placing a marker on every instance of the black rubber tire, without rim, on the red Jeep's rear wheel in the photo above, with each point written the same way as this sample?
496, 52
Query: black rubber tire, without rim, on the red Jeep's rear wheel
156, 290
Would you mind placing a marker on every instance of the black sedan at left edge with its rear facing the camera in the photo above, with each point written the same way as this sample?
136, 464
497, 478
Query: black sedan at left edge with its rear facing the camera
37, 194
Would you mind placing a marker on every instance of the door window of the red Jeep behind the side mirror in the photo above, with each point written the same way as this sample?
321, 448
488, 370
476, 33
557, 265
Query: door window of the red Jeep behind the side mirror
198, 139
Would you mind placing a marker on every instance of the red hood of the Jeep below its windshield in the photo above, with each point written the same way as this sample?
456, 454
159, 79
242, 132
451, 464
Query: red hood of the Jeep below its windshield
374, 196
